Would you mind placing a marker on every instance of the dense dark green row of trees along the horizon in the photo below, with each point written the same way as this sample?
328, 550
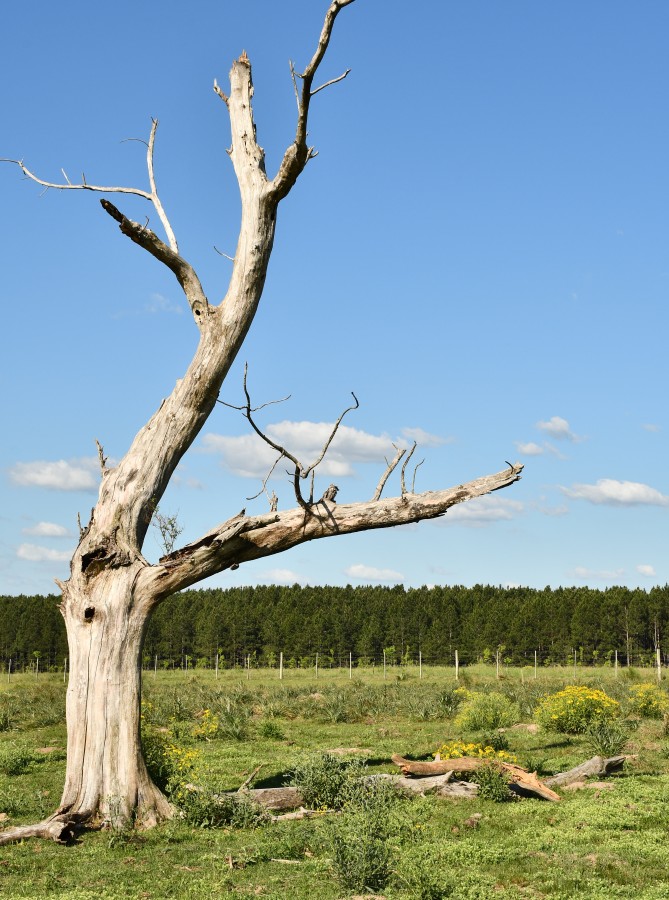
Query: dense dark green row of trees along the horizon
260, 623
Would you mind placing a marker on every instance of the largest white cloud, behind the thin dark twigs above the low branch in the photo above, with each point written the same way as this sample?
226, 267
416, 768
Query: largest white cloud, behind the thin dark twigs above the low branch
249, 456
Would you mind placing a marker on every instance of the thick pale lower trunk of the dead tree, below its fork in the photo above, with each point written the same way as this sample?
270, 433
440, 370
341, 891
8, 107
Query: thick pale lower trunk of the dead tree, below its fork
106, 779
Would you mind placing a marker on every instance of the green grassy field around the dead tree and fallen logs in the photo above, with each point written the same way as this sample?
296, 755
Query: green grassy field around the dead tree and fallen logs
601, 842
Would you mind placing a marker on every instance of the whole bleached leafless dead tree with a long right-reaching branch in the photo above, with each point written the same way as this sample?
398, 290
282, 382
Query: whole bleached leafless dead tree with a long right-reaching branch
112, 589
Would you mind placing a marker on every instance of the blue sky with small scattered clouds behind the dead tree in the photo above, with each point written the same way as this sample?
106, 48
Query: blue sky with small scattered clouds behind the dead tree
480, 251
